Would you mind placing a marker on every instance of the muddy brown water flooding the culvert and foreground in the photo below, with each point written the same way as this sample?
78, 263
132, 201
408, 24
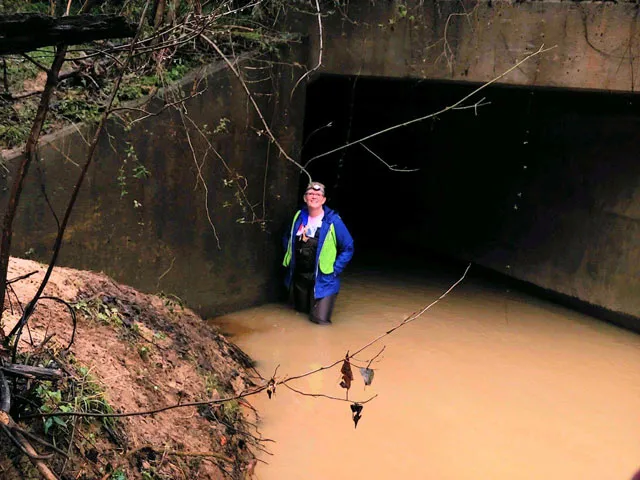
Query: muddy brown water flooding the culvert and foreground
489, 384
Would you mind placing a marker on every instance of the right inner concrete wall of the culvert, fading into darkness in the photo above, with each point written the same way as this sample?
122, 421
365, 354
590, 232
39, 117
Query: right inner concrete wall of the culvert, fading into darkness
554, 201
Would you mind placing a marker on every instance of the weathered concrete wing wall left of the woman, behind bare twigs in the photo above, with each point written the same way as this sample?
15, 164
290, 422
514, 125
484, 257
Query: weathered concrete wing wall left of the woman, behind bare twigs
158, 237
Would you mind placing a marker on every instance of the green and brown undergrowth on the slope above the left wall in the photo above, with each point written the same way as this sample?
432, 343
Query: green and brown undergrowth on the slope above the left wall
88, 75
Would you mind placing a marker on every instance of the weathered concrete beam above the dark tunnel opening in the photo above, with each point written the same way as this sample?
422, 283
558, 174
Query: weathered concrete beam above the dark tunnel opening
595, 44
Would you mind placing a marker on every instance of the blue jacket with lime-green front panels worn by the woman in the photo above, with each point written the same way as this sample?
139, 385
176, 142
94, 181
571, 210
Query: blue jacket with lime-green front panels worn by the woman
334, 233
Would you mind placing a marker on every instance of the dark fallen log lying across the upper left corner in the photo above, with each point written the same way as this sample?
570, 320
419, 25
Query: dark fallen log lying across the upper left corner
24, 32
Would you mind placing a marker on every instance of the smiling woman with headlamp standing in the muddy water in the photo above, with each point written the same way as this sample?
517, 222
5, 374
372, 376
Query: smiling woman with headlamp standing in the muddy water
319, 246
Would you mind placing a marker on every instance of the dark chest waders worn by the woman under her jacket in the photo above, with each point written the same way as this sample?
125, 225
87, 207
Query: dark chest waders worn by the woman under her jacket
303, 283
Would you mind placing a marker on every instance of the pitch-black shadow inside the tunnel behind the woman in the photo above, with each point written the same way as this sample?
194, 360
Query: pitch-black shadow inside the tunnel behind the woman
478, 190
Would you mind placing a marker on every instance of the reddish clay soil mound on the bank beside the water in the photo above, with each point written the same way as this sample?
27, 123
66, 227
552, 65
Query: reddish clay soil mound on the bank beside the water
145, 352
